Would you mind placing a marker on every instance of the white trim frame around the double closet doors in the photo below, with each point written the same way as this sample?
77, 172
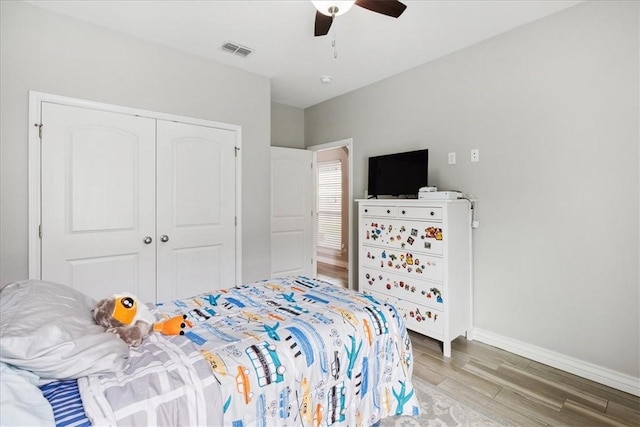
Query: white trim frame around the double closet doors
35, 208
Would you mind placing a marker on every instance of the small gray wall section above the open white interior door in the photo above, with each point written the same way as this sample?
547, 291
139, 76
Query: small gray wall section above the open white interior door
287, 126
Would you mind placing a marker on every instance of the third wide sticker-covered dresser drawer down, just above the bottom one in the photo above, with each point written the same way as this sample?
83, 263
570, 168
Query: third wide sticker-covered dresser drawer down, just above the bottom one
411, 289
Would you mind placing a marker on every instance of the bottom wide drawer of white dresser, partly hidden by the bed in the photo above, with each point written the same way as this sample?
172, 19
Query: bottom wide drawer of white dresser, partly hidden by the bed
419, 318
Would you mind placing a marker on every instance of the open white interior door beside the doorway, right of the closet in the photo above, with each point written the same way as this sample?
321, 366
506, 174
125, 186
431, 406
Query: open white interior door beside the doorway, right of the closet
292, 197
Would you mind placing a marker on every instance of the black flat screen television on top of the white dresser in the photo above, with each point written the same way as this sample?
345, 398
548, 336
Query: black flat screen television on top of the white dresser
399, 174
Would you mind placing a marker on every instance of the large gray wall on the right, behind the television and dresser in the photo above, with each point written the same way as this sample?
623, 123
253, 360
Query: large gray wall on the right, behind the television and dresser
553, 108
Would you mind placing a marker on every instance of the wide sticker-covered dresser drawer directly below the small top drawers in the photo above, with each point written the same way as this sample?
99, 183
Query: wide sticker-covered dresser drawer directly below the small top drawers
421, 237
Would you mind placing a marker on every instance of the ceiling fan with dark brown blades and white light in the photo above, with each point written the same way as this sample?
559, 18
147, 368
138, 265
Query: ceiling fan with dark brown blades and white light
328, 10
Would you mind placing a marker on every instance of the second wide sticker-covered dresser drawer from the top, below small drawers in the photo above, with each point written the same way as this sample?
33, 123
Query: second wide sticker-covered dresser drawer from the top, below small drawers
412, 264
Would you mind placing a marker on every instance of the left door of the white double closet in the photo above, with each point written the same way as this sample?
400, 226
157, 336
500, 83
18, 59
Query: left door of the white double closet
98, 201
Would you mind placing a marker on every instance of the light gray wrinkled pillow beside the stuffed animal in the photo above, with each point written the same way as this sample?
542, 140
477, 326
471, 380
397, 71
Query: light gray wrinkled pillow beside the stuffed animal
47, 328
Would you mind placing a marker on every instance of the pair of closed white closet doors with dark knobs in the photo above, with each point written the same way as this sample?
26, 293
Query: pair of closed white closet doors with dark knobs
136, 204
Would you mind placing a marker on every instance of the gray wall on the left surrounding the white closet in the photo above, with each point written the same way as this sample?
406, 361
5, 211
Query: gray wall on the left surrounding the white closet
50, 53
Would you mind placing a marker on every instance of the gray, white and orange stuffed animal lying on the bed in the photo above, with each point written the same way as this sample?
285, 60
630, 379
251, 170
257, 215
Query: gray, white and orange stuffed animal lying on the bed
122, 315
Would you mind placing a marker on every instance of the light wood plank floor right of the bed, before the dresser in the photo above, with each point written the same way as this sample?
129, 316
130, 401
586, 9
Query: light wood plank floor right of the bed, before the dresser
520, 390
